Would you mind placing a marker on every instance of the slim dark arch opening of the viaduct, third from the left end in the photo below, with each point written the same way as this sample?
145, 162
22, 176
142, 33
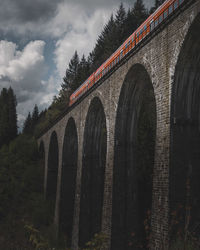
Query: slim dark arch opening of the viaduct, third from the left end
68, 179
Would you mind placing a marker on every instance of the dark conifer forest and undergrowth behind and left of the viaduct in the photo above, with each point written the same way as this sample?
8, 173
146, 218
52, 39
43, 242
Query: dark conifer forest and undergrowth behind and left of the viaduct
25, 221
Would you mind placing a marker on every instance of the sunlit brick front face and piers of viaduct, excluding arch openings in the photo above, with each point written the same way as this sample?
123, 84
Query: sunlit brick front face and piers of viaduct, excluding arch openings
159, 57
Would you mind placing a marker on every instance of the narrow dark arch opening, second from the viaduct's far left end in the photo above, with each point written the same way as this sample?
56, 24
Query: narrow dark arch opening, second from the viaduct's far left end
52, 172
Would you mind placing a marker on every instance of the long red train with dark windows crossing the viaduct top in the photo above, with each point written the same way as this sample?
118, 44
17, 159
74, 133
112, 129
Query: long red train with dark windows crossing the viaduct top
165, 10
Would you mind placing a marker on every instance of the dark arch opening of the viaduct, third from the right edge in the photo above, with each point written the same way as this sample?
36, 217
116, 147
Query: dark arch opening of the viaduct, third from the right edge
93, 169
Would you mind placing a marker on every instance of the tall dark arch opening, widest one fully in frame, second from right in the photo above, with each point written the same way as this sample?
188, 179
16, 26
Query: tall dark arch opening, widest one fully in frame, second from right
135, 134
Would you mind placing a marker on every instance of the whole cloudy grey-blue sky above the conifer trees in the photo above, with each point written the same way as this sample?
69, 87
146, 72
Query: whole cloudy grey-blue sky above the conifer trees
37, 40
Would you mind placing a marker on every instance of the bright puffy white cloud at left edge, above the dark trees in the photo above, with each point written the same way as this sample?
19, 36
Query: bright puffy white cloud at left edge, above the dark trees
23, 71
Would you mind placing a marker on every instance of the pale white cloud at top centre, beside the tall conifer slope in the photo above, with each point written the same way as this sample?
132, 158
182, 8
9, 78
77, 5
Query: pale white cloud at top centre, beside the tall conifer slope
78, 33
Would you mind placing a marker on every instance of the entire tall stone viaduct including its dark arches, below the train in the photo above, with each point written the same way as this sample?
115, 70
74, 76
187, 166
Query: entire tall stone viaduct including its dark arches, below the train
103, 172
